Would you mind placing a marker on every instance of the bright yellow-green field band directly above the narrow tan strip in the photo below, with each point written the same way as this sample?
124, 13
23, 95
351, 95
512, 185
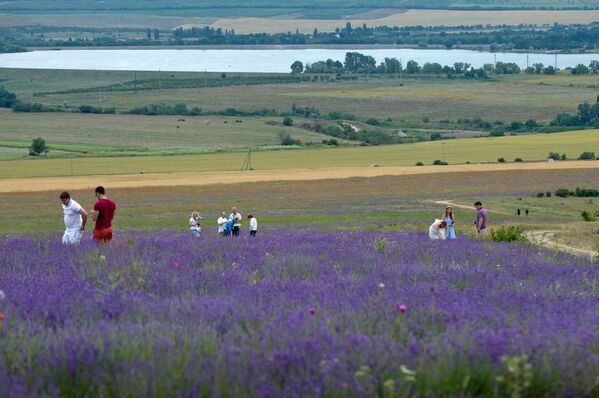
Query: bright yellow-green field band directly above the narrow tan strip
475, 150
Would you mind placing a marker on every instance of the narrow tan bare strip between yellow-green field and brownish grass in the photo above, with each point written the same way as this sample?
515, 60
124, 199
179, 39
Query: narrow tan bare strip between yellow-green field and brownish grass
232, 177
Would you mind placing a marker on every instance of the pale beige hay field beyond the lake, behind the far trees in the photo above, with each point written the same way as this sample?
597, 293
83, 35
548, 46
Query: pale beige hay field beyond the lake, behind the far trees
412, 18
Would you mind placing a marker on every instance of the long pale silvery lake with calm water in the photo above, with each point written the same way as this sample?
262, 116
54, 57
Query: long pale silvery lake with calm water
257, 60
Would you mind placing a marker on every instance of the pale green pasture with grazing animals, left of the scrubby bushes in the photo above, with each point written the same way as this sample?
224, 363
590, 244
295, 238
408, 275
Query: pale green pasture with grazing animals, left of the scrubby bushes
145, 135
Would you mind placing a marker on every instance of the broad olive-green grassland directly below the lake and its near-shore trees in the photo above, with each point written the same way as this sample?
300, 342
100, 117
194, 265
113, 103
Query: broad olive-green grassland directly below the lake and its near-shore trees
406, 103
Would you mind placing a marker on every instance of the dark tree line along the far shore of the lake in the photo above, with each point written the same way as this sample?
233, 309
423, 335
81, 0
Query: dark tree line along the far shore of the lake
502, 37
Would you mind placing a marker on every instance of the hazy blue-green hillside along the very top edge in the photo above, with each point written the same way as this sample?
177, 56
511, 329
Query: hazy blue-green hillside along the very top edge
297, 8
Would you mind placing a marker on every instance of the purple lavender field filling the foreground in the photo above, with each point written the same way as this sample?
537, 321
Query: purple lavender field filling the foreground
295, 313
